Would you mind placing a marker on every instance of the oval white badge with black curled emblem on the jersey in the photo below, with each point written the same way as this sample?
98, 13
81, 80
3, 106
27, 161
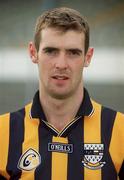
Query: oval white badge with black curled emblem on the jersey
29, 160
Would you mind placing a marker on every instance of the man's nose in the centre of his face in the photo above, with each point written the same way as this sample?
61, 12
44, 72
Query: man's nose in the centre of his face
61, 61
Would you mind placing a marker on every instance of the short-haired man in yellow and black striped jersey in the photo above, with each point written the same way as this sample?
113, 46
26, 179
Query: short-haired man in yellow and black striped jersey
62, 134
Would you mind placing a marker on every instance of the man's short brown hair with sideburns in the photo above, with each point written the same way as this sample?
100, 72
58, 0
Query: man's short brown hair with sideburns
62, 19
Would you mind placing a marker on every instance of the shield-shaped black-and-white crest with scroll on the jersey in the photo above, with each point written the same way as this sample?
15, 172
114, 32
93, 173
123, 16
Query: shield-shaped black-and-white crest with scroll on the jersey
93, 154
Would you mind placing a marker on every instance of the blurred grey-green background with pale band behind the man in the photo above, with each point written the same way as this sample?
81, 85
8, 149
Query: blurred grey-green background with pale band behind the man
18, 76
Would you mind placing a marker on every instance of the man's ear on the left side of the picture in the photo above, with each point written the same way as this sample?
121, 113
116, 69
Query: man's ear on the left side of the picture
33, 52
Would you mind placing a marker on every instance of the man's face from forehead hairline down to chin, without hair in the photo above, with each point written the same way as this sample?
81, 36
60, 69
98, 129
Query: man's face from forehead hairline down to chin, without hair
60, 61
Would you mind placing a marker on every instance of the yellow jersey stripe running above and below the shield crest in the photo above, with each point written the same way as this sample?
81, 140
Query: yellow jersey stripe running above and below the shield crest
92, 136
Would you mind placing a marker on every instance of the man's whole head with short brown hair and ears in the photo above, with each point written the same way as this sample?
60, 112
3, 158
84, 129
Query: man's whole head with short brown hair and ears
61, 50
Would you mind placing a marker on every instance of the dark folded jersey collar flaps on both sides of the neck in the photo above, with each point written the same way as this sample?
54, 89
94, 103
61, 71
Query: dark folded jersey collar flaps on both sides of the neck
86, 107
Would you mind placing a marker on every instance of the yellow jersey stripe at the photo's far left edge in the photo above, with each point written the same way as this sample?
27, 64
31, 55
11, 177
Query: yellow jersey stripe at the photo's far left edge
4, 142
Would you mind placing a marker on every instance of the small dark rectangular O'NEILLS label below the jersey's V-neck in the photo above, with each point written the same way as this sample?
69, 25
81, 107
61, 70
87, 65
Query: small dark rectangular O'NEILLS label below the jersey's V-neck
60, 147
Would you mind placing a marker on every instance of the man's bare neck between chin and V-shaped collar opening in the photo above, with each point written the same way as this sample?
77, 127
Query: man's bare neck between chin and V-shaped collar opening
59, 112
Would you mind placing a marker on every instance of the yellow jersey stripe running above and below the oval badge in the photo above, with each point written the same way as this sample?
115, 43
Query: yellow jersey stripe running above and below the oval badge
31, 140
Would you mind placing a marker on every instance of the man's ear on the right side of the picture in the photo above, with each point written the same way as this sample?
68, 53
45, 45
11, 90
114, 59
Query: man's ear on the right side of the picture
88, 57
